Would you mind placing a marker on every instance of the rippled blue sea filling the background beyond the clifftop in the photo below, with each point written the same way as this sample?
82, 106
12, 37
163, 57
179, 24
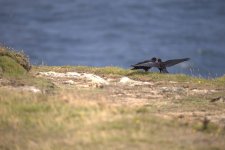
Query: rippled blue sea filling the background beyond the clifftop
118, 32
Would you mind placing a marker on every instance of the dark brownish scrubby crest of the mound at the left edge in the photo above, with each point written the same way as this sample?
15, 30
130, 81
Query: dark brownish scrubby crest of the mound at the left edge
19, 57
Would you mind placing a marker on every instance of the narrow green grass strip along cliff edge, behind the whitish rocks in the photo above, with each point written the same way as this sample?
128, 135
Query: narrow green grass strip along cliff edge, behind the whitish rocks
116, 72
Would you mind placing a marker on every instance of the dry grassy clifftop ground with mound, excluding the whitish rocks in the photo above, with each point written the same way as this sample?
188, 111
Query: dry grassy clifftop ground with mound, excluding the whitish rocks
172, 112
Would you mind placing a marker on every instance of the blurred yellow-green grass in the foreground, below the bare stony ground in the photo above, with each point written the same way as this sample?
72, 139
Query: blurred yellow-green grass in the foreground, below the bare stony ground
29, 121
